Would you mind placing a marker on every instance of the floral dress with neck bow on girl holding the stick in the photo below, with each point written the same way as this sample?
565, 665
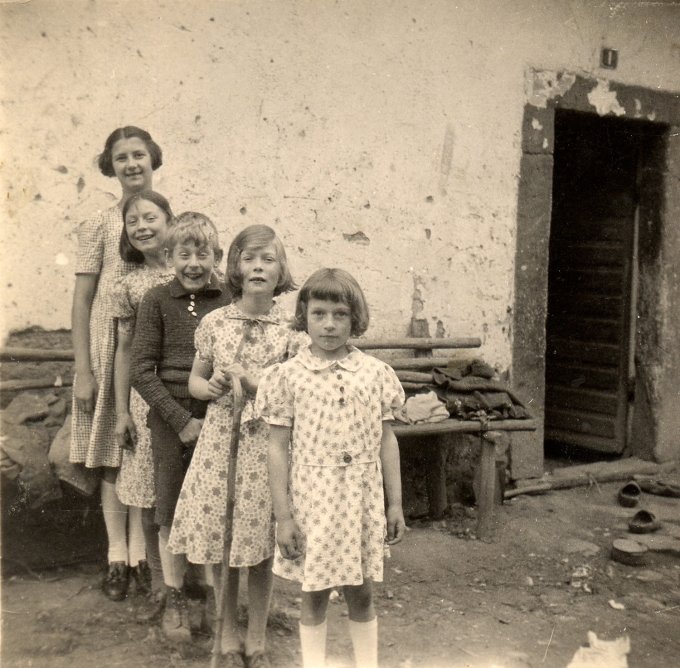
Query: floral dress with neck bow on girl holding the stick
224, 336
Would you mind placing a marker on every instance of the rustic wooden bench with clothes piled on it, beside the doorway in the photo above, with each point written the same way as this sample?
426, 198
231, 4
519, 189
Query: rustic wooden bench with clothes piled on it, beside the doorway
423, 358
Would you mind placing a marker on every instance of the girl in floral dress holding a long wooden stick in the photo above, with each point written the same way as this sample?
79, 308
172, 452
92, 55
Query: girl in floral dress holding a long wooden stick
242, 338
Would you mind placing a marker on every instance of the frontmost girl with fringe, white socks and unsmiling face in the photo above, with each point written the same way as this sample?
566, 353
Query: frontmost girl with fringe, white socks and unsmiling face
331, 450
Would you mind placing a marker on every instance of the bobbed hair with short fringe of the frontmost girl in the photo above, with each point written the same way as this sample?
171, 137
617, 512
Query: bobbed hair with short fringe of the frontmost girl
336, 285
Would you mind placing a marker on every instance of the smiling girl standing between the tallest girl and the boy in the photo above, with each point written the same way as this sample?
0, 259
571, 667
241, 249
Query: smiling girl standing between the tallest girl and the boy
146, 219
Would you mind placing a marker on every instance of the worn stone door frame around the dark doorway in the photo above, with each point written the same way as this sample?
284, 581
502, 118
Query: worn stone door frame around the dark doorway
656, 419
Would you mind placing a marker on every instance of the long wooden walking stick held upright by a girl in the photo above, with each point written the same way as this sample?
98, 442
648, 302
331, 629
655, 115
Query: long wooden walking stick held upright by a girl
223, 581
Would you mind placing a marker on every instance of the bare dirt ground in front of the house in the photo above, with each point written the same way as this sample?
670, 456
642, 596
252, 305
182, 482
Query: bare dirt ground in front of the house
526, 599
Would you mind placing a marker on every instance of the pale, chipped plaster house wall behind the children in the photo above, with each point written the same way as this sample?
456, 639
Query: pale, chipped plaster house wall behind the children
380, 136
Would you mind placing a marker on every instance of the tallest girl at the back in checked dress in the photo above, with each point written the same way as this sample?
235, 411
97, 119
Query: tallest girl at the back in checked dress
131, 155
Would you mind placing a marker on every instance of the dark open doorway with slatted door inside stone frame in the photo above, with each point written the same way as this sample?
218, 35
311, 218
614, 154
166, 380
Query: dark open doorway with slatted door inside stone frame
592, 280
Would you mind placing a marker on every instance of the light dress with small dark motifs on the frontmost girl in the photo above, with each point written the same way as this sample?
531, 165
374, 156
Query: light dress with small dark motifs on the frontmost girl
336, 410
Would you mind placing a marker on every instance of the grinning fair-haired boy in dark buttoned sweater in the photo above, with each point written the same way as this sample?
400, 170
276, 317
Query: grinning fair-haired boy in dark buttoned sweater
162, 356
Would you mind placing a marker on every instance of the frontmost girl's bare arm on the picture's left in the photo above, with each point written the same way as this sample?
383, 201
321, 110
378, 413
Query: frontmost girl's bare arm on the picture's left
288, 534
